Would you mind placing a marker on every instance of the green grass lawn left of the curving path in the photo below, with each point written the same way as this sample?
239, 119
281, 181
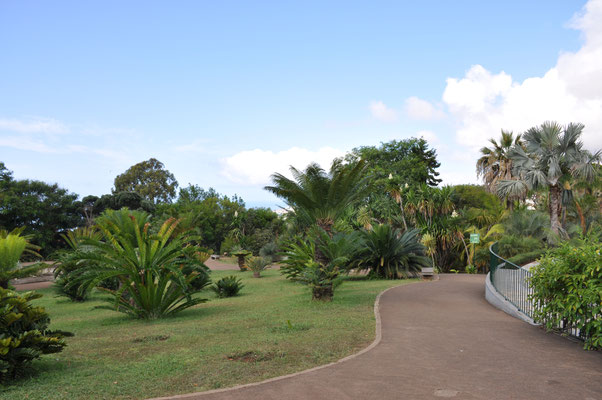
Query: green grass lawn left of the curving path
273, 328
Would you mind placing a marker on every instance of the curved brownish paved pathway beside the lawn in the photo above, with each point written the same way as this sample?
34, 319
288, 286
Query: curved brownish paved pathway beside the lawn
443, 340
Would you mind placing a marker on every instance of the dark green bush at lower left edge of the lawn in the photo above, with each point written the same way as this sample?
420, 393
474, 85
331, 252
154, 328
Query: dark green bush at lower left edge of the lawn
24, 334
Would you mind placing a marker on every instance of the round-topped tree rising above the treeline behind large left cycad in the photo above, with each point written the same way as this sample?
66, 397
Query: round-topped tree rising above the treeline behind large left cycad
150, 180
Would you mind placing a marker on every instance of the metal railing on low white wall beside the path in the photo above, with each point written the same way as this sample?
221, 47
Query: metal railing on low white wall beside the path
511, 281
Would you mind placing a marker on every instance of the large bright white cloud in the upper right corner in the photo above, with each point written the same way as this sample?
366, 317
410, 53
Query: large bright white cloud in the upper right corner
483, 102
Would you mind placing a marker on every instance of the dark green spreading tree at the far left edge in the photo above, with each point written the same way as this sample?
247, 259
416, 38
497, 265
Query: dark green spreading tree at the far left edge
45, 210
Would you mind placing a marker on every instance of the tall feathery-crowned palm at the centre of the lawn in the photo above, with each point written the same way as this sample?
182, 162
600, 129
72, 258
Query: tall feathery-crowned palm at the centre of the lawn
321, 196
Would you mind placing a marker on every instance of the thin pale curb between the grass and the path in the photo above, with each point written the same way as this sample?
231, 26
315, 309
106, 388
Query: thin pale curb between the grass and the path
375, 342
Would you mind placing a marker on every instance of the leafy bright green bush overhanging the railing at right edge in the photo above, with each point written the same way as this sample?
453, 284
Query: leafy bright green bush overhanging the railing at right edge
567, 287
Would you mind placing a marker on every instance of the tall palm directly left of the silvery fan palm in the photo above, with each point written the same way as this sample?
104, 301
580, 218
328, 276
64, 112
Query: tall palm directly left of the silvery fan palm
495, 163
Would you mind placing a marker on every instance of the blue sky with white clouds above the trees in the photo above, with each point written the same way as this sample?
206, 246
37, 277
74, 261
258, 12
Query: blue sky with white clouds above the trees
226, 93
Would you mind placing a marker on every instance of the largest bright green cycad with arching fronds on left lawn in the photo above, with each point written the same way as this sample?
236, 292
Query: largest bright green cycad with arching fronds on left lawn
149, 266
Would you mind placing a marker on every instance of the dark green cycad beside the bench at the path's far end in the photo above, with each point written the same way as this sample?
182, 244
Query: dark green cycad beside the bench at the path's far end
390, 254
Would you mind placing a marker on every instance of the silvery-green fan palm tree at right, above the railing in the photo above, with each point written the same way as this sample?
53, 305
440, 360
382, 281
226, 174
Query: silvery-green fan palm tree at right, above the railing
552, 155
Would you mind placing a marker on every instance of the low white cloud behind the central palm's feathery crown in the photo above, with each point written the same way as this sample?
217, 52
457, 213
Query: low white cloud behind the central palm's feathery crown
254, 167
